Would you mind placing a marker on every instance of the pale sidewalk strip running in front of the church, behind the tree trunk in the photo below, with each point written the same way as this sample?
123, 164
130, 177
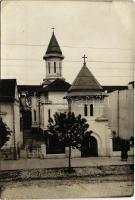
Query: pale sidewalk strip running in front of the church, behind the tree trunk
62, 162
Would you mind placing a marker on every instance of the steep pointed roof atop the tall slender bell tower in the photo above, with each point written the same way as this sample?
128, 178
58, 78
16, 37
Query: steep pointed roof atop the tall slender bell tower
53, 48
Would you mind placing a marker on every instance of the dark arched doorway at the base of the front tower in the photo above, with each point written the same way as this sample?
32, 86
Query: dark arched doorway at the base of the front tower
89, 147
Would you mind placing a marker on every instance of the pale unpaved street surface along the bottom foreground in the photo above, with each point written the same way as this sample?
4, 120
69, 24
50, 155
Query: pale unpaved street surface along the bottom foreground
109, 186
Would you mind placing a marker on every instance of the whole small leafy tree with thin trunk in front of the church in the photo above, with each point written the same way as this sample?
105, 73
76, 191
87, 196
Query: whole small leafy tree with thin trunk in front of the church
70, 129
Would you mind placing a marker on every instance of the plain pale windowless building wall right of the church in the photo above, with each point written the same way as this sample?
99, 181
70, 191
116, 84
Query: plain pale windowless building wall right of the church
119, 109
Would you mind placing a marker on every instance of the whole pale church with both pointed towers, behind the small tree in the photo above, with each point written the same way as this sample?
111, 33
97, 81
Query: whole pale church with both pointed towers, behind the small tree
85, 96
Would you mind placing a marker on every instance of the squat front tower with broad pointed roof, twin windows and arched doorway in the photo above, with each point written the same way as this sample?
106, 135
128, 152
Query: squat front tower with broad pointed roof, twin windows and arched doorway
86, 97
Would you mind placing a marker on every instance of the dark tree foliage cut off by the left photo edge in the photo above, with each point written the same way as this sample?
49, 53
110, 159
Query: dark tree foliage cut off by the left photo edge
4, 133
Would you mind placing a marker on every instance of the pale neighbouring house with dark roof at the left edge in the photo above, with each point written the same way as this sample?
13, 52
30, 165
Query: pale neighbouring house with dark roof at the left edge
10, 111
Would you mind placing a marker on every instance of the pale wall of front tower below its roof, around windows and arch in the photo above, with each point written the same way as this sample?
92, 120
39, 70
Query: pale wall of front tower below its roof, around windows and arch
100, 129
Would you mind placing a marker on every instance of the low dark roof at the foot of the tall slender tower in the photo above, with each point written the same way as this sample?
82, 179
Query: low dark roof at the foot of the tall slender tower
57, 85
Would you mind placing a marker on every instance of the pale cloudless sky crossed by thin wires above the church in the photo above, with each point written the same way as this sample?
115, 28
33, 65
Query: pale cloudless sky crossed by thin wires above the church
103, 31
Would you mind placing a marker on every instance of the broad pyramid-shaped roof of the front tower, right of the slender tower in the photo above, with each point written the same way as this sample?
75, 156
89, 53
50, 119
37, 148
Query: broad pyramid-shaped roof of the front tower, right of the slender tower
85, 81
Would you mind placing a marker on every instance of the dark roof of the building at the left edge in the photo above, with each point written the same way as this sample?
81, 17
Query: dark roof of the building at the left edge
7, 90
